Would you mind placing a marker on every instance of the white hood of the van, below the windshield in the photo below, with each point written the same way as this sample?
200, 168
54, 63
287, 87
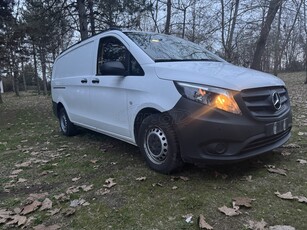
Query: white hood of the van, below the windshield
218, 74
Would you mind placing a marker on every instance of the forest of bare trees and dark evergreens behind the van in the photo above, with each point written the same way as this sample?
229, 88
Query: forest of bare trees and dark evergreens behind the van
267, 35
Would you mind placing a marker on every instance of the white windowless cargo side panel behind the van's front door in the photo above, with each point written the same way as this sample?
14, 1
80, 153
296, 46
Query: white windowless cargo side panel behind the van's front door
71, 68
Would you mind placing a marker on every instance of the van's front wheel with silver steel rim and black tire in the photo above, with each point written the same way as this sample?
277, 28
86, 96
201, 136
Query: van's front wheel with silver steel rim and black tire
158, 143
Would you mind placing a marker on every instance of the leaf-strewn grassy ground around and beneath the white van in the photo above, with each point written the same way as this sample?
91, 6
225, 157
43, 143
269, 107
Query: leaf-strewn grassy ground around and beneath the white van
29, 133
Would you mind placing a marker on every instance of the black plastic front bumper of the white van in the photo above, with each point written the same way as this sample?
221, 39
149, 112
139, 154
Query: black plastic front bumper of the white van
216, 137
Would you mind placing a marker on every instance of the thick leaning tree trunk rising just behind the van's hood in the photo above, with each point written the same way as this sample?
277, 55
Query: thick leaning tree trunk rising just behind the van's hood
260, 46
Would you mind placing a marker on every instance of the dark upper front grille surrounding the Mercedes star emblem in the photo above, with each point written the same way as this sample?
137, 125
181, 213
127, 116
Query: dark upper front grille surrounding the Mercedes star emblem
259, 102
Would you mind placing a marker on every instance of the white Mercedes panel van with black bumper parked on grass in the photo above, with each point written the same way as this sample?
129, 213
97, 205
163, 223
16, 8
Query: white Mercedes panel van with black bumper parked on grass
175, 100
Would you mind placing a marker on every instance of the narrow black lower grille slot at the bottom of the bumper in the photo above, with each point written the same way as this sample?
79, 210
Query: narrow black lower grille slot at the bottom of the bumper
265, 141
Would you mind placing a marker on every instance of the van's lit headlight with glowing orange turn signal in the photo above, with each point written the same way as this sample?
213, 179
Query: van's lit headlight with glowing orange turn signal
211, 96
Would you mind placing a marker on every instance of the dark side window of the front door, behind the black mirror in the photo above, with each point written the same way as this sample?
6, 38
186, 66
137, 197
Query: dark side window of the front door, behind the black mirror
111, 49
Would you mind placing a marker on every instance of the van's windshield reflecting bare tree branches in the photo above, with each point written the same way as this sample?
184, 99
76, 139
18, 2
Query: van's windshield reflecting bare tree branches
162, 47
